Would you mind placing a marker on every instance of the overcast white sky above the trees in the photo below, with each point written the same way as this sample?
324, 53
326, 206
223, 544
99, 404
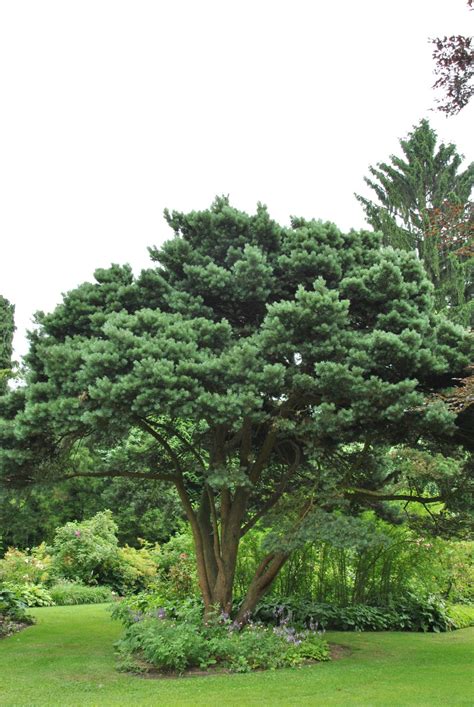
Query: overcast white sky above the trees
111, 111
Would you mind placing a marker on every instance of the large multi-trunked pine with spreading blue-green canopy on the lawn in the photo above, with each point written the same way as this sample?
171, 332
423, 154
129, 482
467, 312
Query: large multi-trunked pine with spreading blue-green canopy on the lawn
258, 369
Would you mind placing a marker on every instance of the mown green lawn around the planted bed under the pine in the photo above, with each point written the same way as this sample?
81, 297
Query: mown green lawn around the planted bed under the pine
68, 659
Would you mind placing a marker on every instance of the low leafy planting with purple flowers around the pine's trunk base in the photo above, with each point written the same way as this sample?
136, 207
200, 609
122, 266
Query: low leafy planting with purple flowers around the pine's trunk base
183, 641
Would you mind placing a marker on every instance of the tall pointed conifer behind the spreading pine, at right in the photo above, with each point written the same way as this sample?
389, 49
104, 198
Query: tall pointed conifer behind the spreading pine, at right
423, 204
